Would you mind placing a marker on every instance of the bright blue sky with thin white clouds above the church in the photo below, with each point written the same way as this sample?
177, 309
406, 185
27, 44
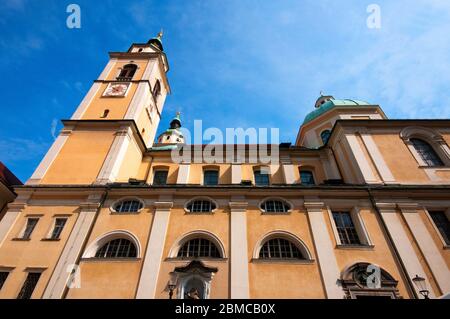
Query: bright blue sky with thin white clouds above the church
234, 63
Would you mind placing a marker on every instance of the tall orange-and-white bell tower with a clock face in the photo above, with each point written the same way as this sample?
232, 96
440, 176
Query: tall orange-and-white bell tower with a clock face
106, 137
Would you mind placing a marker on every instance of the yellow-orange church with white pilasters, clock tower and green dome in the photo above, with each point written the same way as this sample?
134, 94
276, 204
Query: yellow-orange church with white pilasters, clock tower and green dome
357, 207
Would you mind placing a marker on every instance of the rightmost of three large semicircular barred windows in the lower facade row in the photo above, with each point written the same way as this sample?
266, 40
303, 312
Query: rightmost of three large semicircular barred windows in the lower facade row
280, 248
